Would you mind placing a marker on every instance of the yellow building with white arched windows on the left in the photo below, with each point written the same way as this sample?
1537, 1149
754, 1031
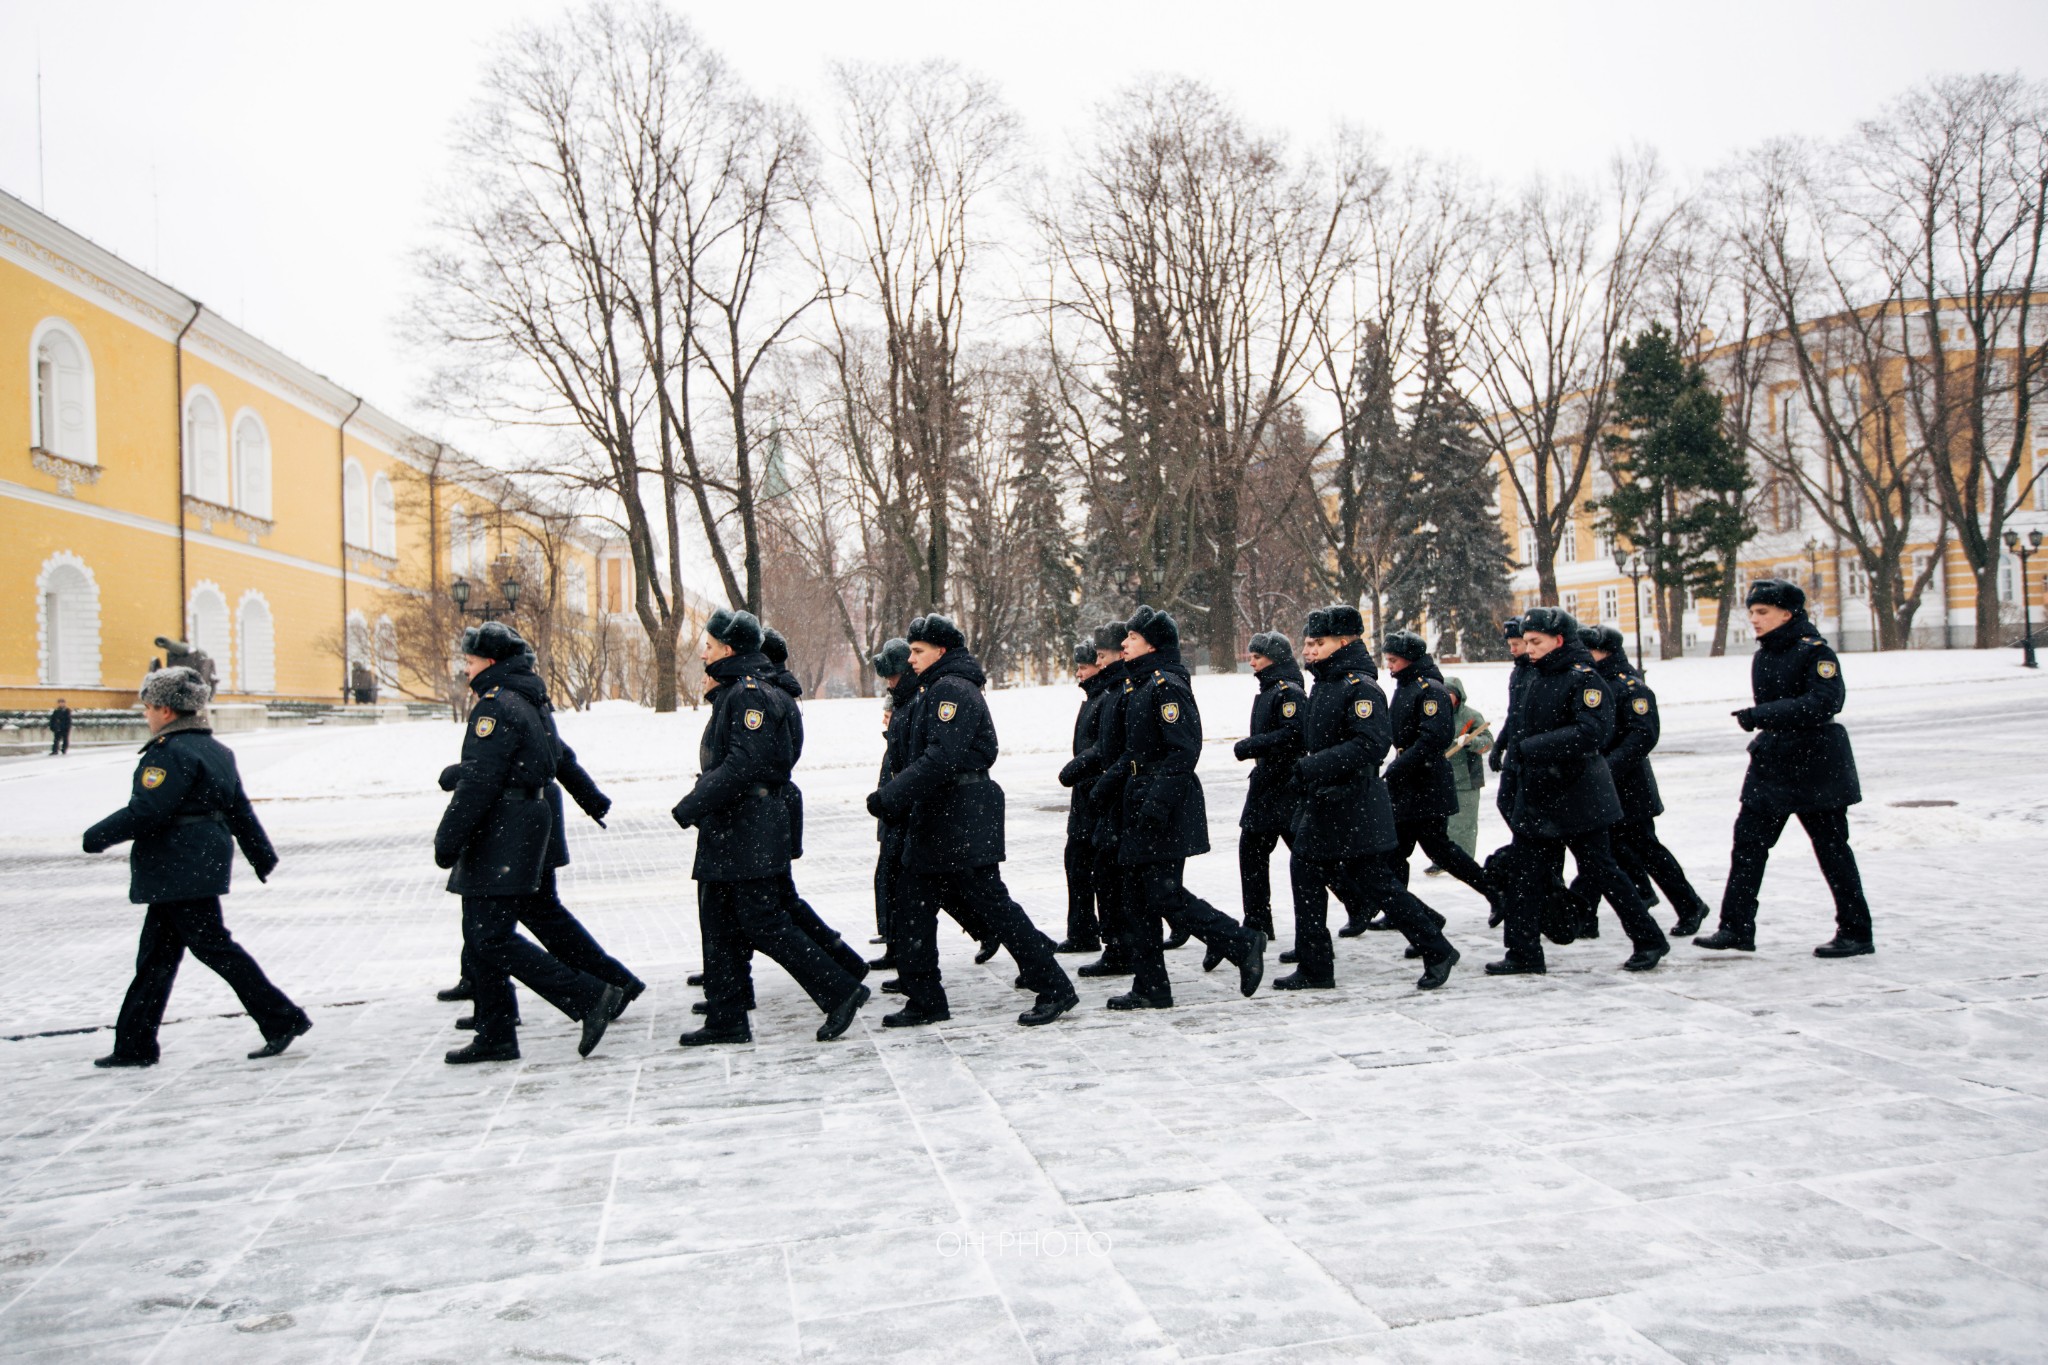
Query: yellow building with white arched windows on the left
167, 474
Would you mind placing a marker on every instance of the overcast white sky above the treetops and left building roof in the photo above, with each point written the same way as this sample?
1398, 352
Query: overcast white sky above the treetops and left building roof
273, 159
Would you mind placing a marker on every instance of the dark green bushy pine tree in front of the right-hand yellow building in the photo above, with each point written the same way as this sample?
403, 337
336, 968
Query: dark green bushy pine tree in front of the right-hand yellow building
1678, 480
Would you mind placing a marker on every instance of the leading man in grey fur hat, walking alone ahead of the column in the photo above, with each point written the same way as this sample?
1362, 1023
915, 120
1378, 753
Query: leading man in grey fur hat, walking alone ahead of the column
185, 816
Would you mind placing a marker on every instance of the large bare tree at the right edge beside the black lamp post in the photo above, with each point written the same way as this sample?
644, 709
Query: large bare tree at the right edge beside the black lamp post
1953, 185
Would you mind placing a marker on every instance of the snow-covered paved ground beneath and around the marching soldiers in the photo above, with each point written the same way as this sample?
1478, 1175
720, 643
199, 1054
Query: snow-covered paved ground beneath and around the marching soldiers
1736, 1157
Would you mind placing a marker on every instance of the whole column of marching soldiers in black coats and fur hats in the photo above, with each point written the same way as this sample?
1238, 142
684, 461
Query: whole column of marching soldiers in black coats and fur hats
1349, 781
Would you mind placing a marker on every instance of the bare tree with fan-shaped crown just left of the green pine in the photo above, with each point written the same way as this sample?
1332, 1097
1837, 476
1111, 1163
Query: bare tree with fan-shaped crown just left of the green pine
1547, 328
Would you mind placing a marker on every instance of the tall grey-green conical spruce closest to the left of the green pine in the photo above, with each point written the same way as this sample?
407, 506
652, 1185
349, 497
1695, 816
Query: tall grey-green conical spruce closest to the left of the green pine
1453, 562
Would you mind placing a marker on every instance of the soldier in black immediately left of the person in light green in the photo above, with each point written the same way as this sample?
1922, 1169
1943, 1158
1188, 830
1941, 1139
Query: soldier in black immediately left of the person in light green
1418, 779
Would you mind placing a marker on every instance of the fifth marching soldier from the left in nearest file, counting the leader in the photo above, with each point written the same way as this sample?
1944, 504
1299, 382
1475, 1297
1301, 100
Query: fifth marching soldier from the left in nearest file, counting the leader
1166, 820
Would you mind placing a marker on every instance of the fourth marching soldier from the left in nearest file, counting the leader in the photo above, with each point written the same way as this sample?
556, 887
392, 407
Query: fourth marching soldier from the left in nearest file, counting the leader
955, 834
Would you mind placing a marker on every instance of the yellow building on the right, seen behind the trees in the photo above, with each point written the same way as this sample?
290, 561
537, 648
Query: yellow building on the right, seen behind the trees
1793, 541
